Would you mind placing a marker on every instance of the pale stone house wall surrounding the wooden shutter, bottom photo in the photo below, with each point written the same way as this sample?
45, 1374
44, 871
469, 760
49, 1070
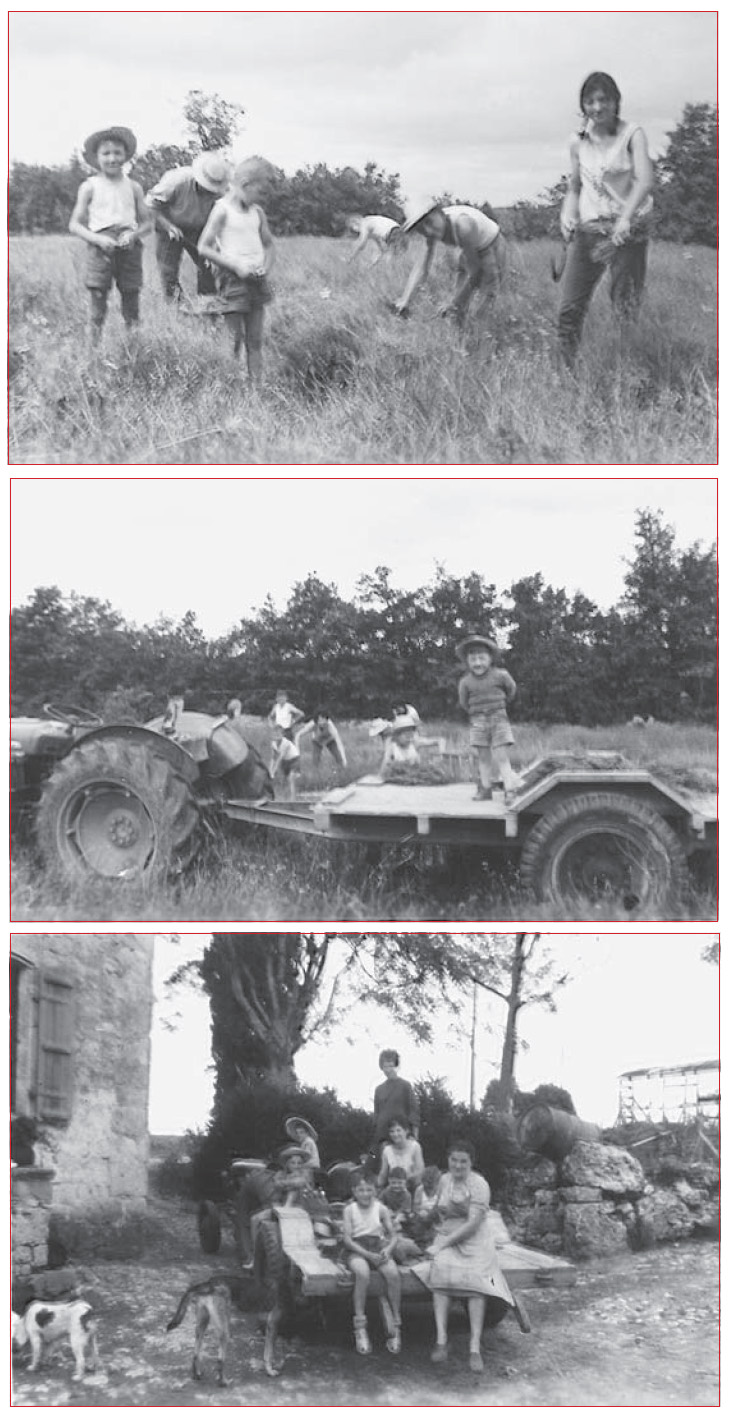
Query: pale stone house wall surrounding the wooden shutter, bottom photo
99, 1152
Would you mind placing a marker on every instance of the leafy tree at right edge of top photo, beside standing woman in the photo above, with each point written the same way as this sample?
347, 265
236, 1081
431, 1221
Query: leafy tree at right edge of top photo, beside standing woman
687, 194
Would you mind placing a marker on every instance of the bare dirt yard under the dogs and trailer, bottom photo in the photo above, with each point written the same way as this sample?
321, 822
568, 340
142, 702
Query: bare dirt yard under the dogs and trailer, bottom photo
640, 1329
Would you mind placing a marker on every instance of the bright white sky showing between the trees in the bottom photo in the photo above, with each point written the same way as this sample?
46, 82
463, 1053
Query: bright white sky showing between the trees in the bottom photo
633, 1002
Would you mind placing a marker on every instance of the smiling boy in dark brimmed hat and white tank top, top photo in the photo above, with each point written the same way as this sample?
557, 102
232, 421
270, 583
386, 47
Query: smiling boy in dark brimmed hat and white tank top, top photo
111, 218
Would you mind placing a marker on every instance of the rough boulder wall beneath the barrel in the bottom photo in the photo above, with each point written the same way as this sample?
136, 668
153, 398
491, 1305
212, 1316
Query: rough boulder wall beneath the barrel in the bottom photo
598, 1202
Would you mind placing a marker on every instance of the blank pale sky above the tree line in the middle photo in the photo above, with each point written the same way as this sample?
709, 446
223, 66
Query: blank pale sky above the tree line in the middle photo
219, 547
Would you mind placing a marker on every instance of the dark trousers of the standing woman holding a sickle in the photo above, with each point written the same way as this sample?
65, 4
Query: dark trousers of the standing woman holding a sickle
582, 273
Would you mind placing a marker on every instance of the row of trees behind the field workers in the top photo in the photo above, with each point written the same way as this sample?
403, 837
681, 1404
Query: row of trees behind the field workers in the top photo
316, 201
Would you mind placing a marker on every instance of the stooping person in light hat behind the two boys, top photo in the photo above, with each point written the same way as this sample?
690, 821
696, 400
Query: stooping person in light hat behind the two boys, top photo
182, 202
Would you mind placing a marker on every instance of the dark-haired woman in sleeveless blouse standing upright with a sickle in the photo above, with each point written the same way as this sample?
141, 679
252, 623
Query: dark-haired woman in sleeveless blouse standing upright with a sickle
605, 212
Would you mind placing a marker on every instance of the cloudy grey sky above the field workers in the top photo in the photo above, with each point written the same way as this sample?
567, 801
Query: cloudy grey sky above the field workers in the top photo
480, 106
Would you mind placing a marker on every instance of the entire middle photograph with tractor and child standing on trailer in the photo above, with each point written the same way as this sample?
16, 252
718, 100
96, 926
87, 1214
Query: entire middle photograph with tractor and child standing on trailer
299, 700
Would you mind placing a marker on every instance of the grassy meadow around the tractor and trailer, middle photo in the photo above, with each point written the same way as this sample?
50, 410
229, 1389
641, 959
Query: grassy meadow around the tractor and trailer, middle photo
253, 874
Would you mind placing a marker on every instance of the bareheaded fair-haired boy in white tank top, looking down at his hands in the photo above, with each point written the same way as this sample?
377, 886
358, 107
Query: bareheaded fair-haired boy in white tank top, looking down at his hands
238, 239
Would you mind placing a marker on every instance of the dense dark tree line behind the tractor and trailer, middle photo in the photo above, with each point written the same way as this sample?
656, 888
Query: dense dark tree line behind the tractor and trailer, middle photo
652, 654
